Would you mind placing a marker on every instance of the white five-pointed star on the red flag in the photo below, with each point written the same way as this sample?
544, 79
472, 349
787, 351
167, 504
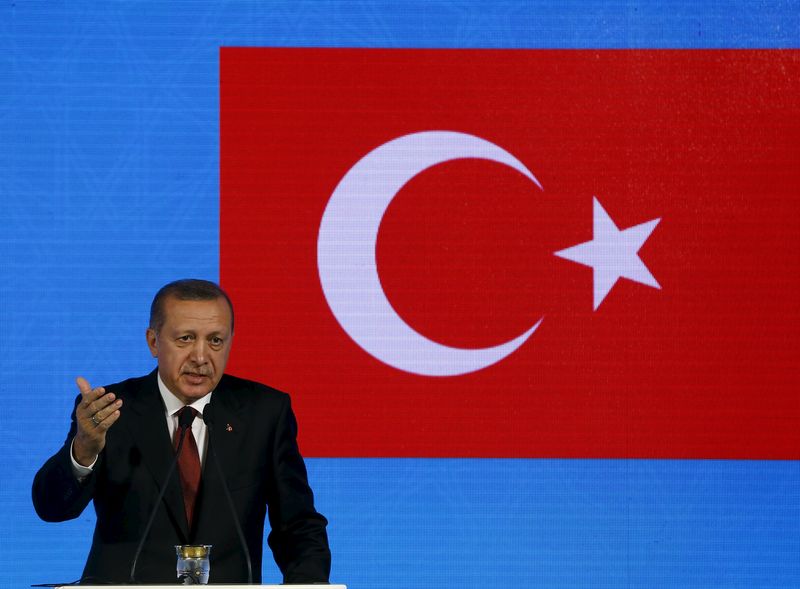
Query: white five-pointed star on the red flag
613, 254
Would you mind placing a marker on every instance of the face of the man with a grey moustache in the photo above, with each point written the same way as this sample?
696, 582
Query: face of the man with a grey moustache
192, 346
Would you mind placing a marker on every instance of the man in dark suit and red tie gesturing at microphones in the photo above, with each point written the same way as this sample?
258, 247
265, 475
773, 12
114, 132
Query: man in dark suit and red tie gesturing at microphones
121, 444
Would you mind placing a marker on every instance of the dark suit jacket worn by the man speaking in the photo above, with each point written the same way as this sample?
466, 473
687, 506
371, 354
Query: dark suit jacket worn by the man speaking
254, 434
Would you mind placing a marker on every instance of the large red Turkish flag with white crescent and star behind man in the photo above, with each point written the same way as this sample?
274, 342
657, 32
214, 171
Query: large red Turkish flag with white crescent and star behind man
699, 362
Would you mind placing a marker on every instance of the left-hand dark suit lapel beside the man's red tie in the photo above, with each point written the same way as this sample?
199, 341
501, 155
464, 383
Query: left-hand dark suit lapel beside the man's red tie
149, 429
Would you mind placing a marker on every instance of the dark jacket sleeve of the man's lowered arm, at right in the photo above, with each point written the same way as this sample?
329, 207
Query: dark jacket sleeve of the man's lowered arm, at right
298, 538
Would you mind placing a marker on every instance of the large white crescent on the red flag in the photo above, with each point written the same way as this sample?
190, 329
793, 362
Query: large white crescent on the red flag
346, 260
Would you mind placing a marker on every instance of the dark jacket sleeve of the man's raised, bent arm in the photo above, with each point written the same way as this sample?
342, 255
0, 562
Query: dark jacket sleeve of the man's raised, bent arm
57, 494
